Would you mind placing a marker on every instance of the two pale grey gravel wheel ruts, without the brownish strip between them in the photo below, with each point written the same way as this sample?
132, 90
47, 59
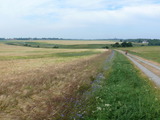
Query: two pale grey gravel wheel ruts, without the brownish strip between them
149, 73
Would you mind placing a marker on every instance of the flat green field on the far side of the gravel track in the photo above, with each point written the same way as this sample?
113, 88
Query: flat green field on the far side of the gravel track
148, 52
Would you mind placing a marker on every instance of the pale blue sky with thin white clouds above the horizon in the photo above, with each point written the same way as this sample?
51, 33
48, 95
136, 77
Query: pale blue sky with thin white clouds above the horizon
80, 19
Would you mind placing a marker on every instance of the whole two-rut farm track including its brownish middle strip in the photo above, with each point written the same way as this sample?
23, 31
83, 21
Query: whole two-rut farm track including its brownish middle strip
150, 69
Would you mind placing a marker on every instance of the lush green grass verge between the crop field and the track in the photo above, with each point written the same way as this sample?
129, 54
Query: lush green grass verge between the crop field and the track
123, 95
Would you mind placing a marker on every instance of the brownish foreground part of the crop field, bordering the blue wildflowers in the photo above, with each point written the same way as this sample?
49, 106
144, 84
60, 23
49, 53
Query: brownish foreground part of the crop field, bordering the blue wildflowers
45, 93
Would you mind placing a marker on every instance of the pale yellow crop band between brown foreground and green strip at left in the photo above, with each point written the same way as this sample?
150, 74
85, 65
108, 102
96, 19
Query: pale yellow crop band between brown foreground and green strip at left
14, 67
